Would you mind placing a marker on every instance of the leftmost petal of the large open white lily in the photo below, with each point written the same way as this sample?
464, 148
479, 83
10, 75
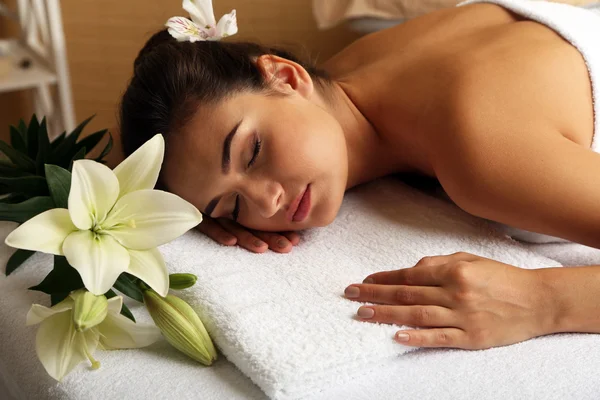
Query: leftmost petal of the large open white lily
45, 232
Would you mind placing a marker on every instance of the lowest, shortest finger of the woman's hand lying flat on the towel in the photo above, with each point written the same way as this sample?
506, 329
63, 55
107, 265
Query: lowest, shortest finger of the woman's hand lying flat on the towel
439, 337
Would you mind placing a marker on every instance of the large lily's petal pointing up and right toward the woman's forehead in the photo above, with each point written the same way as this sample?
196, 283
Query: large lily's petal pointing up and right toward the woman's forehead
140, 170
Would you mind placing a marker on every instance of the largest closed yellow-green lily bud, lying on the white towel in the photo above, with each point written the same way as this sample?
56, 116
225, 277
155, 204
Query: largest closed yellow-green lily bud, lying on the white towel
181, 326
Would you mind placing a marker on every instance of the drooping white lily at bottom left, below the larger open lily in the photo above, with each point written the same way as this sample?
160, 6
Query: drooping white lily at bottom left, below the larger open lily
60, 346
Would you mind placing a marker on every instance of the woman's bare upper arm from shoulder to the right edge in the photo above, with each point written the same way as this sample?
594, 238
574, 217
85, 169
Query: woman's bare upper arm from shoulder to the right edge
526, 175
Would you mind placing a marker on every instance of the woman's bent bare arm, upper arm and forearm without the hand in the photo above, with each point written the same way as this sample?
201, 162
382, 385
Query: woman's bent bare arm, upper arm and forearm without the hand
535, 179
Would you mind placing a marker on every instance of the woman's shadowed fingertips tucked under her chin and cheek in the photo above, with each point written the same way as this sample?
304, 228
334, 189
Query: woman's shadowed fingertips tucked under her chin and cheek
230, 233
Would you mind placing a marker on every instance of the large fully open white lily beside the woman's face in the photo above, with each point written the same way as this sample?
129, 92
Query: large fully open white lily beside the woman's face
114, 222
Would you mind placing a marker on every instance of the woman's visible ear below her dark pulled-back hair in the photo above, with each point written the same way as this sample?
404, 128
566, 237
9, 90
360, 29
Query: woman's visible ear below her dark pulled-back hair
285, 75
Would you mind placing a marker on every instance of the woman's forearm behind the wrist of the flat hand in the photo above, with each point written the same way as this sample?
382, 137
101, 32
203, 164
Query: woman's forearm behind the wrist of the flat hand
573, 295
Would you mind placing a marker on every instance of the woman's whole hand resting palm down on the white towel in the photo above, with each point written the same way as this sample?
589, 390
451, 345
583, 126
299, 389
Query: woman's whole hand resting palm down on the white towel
464, 300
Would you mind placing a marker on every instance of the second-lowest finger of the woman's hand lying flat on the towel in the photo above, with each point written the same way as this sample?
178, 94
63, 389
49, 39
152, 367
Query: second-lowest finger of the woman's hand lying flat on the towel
423, 316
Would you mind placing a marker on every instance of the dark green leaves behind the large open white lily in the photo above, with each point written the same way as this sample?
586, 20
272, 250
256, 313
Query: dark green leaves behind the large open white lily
35, 176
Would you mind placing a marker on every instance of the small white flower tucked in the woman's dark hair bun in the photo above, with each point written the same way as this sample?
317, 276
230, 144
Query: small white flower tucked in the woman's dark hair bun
203, 25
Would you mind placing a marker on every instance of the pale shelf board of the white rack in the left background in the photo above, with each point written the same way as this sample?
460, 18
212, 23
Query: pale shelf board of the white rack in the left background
25, 78
